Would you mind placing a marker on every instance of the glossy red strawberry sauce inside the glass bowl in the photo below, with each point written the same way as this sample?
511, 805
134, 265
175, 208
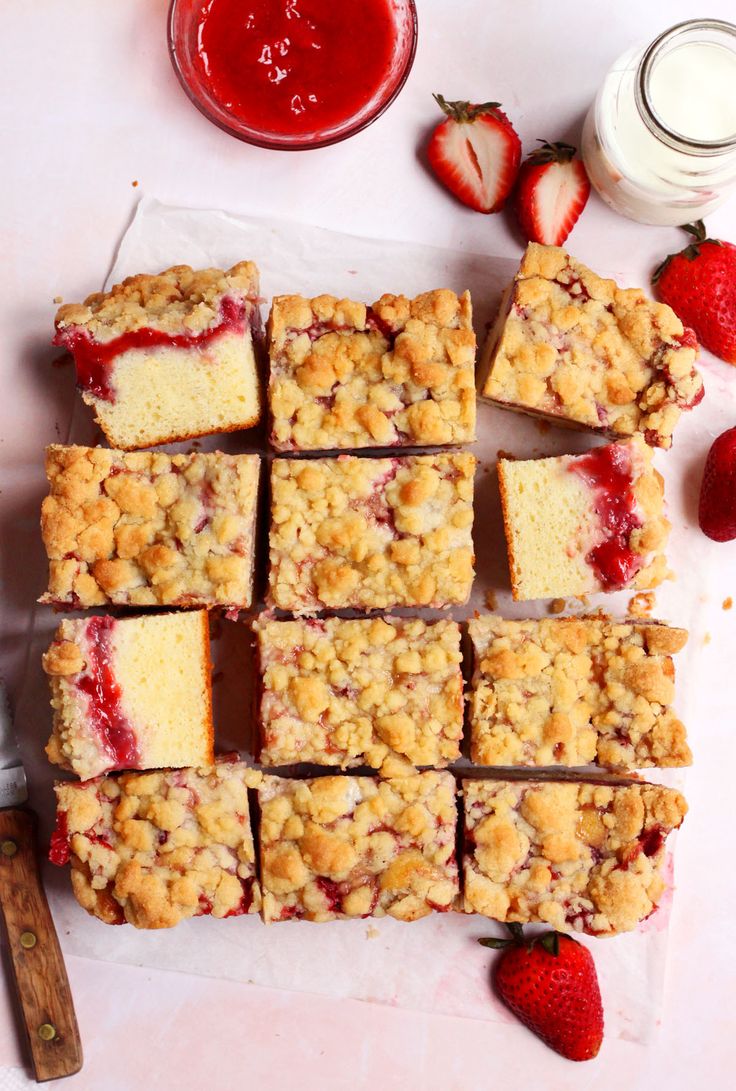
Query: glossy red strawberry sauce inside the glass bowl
294, 67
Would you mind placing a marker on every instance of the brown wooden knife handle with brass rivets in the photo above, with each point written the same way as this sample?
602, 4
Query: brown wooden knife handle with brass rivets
39, 966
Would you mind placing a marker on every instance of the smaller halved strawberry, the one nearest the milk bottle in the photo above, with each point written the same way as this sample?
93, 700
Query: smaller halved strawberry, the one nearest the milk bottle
551, 194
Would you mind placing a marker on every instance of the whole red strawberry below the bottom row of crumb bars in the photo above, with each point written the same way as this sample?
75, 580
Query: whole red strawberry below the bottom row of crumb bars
550, 982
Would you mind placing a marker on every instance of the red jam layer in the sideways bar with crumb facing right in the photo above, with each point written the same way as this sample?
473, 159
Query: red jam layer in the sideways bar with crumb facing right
608, 472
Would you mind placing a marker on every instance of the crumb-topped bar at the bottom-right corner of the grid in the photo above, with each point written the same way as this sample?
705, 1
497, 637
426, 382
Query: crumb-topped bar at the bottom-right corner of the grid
582, 858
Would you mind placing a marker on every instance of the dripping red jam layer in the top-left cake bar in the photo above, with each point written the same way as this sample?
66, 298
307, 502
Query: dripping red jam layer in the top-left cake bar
94, 361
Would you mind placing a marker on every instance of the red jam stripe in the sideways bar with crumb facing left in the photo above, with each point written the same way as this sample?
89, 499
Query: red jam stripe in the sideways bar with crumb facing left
105, 711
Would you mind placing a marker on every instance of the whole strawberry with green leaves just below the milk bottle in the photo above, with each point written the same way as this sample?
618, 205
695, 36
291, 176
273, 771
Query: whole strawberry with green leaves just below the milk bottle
699, 284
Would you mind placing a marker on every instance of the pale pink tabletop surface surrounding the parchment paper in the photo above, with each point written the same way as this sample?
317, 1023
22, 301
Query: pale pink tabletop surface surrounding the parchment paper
90, 105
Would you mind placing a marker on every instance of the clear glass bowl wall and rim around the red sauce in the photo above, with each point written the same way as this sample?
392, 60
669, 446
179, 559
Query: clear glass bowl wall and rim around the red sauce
183, 37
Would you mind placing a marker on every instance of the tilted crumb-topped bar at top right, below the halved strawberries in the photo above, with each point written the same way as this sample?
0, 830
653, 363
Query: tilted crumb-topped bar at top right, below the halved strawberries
582, 352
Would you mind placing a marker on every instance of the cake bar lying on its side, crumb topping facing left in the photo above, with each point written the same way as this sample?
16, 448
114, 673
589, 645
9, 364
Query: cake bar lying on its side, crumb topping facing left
131, 693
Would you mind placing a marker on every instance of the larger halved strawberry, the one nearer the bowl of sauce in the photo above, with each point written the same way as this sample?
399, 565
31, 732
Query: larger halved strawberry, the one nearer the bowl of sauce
476, 153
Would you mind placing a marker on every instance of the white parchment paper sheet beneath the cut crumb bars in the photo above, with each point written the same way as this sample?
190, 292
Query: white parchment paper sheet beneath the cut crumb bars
436, 964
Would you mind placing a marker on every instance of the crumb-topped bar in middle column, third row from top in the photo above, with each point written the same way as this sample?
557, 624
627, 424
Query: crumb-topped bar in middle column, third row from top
382, 692
